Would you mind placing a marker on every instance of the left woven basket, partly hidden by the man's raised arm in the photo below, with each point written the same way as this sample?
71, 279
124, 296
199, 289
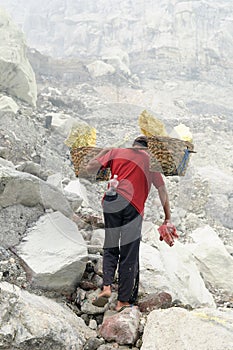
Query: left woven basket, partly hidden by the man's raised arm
80, 157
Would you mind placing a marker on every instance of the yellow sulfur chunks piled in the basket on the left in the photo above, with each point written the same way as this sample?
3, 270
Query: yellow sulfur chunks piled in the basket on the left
81, 135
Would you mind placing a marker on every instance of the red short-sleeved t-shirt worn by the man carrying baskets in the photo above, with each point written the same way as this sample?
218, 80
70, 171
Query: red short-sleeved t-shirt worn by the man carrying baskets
132, 167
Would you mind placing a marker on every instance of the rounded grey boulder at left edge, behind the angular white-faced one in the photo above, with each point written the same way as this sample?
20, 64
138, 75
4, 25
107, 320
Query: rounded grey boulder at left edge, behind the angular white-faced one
23, 198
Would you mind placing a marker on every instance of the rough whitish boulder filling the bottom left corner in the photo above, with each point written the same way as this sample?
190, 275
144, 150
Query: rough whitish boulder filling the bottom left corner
29, 321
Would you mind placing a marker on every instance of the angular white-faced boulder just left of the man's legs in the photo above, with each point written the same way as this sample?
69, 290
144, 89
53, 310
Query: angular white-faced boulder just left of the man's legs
55, 252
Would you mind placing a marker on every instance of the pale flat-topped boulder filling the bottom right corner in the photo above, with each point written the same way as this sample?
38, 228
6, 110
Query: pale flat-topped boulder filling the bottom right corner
179, 329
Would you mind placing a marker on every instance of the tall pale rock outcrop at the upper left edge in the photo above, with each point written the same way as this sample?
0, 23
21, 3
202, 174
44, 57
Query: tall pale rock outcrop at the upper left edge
16, 75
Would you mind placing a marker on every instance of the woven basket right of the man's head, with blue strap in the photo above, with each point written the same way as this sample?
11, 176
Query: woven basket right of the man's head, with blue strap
168, 155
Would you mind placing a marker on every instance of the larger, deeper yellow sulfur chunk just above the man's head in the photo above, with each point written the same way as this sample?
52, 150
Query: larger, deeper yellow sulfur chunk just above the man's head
150, 125
